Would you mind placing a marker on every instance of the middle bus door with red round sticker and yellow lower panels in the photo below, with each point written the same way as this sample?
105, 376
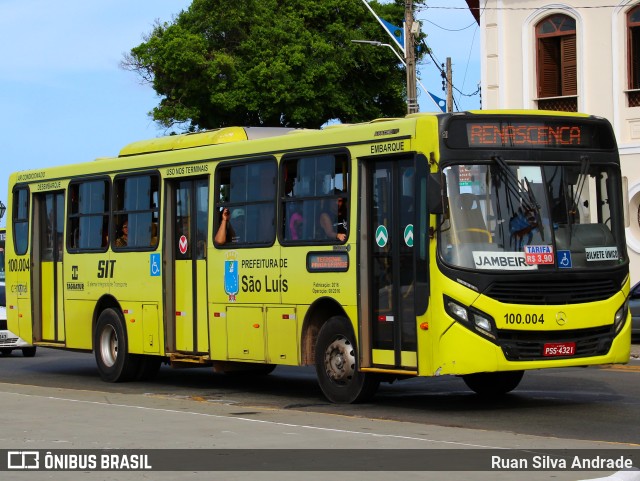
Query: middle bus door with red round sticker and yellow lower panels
187, 228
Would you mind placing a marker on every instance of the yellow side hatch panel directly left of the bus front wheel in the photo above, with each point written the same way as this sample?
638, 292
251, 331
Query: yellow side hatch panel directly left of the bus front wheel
282, 336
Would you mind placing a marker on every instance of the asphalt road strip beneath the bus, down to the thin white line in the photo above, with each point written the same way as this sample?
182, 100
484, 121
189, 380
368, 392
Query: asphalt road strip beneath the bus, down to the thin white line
591, 404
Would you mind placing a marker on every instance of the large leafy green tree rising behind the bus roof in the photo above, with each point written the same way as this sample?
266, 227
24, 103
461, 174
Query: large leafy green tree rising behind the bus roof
271, 63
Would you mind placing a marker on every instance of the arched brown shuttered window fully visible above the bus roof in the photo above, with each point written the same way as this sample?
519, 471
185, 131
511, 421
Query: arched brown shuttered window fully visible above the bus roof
557, 63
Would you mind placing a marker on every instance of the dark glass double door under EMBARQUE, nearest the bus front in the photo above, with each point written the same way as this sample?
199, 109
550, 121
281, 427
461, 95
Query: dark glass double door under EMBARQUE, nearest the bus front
388, 315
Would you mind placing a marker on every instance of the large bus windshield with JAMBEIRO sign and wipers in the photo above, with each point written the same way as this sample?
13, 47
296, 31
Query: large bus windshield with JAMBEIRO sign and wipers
509, 216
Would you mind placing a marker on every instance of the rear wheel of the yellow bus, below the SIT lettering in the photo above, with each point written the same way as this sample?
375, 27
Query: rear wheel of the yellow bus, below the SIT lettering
115, 363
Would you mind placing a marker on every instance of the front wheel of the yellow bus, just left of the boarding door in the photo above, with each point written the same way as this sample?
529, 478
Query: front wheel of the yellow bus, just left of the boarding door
336, 364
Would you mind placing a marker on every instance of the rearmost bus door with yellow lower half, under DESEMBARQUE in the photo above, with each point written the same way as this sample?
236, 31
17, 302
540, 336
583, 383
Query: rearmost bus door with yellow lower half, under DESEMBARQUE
47, 273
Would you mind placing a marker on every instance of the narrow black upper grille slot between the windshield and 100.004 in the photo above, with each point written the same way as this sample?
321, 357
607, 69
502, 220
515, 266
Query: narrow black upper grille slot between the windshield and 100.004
552, 292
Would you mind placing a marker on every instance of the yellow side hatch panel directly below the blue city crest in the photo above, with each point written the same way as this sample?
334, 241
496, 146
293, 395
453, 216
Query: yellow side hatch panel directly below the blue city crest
245, 328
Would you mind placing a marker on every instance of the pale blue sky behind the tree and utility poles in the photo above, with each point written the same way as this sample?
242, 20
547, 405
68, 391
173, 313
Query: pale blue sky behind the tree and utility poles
64, 98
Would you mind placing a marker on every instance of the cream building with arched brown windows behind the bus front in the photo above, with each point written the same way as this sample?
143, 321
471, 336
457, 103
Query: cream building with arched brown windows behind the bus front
576, 56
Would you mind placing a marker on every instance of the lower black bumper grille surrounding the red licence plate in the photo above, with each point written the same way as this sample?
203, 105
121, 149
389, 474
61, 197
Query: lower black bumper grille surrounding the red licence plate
529, 346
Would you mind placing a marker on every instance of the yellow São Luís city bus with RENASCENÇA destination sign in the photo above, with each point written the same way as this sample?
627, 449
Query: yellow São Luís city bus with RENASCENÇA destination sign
478, 244
